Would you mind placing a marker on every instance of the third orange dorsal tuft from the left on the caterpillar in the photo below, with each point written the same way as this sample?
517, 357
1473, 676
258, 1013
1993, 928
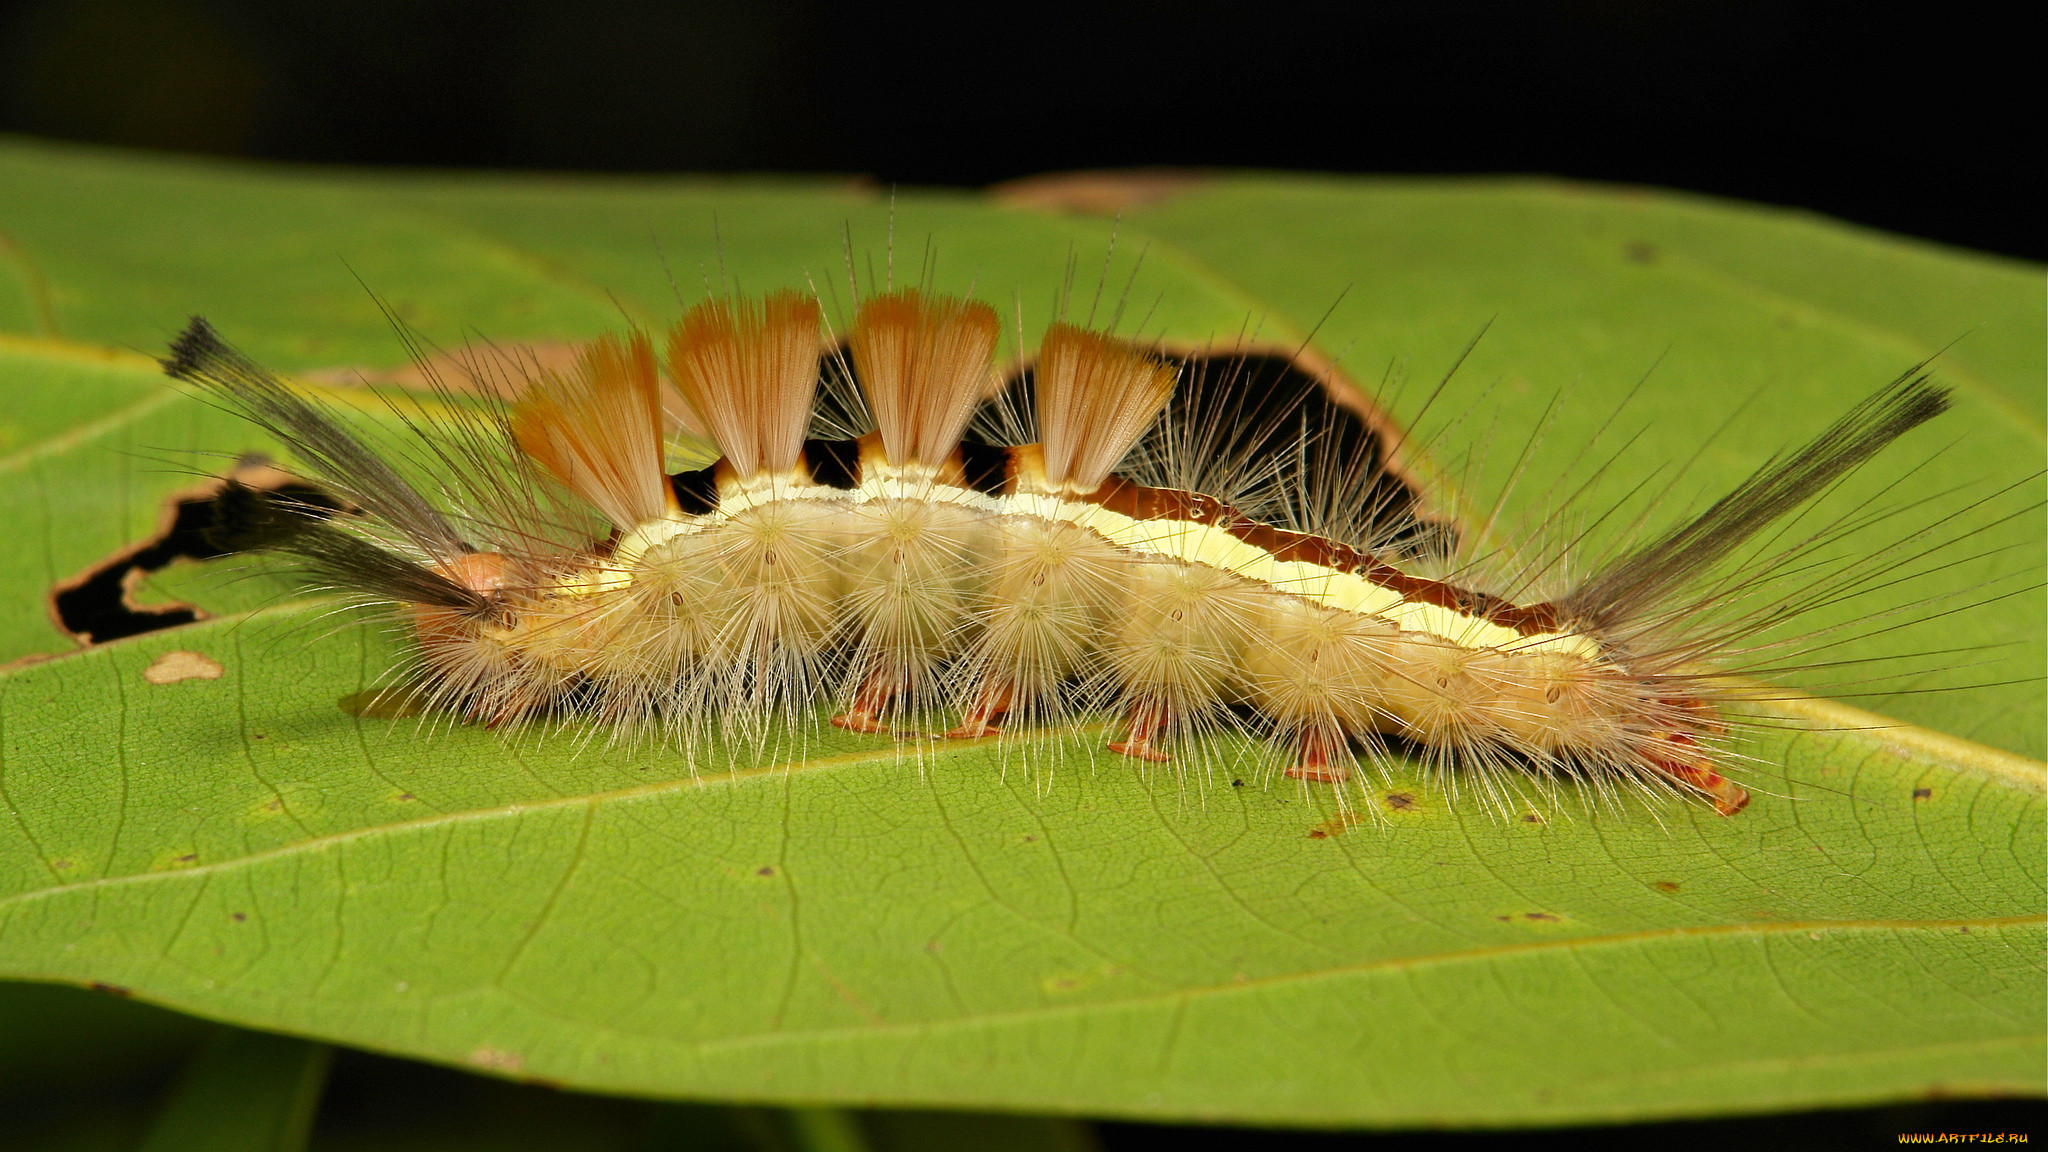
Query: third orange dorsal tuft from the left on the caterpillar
923, 366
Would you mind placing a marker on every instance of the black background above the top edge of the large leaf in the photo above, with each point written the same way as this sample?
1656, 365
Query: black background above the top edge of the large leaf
1918, 120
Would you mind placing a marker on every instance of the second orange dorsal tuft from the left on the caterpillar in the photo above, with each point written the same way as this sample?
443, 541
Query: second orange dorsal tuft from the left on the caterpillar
749, 374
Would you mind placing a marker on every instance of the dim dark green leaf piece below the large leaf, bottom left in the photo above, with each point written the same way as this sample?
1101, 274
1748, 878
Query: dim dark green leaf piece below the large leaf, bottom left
245, 1094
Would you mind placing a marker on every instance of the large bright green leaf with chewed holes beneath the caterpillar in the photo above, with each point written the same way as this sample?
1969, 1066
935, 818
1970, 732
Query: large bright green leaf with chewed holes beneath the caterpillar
851, 923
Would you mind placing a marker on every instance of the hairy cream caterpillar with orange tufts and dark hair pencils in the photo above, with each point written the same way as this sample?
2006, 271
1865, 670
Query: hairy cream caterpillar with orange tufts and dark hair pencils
1117, 538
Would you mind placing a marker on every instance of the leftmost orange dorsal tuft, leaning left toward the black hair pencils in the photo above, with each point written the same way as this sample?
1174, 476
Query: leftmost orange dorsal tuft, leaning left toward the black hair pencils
599, 429
